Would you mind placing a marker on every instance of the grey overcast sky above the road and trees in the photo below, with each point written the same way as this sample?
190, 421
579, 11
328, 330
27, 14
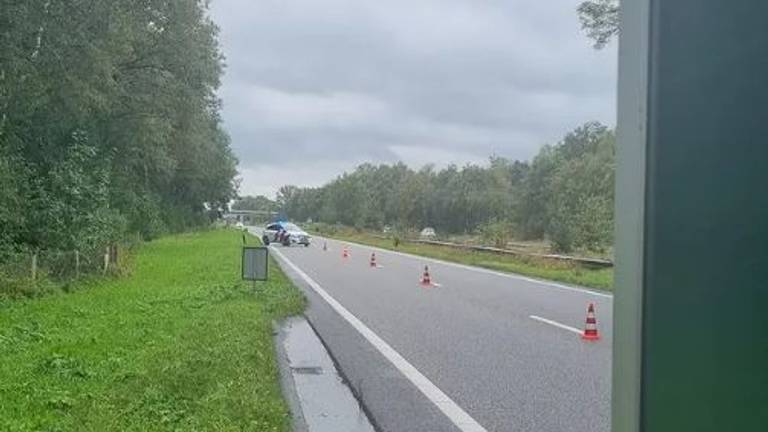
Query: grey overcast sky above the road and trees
315, 87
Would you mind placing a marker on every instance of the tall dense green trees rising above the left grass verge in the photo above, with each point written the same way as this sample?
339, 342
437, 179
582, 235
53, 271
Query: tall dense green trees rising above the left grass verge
109, 121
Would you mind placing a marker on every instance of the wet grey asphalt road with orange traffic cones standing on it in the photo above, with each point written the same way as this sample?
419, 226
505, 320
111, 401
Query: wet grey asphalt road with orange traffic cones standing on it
472, 337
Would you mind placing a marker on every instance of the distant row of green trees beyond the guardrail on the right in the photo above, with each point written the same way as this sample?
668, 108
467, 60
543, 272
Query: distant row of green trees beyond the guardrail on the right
565, 195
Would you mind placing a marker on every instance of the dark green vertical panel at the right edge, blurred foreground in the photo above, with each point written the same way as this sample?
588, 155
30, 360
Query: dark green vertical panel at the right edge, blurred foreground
705, 293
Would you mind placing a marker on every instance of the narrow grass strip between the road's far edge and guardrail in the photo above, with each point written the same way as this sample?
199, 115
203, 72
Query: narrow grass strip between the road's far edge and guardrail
540, 268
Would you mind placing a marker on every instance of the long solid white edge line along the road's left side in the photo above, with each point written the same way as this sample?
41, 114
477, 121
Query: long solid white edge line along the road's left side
454, 412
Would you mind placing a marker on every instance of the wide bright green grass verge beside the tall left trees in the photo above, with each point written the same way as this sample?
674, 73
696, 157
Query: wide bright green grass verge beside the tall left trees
180, 344
